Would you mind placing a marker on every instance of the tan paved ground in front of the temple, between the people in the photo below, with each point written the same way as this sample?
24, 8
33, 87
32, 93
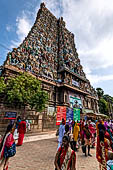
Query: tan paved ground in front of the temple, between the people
39, 155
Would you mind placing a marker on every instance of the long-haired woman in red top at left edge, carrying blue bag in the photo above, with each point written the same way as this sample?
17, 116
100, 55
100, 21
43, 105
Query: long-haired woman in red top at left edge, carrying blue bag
6, 143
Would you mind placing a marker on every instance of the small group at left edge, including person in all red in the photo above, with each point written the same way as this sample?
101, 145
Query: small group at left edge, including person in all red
15, 130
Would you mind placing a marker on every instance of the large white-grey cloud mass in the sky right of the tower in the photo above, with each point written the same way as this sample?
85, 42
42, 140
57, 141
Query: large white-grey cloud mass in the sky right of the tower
91, 21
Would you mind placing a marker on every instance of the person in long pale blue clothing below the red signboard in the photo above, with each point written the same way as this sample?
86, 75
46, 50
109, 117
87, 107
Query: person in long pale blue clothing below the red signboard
61, 133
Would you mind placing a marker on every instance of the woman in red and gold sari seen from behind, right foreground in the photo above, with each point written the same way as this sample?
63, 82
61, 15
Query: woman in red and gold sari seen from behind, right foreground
103, 145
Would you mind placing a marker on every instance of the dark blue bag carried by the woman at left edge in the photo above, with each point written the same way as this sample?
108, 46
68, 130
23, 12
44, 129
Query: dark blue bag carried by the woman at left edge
10, 151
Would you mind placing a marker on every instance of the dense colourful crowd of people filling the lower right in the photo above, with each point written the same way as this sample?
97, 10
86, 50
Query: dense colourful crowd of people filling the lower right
86, 134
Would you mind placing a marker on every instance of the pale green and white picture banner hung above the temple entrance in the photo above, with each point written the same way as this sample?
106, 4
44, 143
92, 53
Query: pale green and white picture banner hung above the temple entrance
75, 102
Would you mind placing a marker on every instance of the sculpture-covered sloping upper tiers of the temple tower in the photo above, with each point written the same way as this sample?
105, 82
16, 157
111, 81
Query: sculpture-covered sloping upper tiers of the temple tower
48, 50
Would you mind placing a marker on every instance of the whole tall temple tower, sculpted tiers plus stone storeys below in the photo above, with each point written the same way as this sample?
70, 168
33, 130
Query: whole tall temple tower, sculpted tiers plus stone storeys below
49, 53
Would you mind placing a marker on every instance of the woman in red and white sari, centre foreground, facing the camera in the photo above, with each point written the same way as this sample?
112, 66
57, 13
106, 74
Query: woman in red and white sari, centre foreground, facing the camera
65, 158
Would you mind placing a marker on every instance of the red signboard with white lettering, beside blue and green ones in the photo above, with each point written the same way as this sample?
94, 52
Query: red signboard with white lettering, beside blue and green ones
61, 113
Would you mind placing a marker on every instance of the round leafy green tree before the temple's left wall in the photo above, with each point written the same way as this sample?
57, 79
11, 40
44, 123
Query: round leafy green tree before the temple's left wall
26, 90
